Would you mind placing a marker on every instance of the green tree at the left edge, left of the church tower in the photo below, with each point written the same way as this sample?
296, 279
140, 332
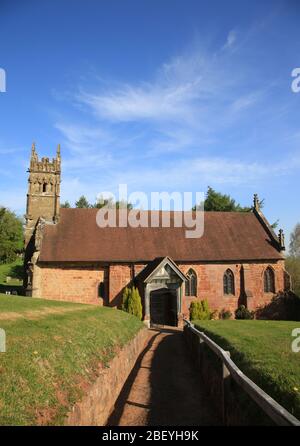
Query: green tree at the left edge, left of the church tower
11, 235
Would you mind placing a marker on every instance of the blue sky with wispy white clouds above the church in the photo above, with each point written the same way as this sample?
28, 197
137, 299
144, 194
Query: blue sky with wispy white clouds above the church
160, 95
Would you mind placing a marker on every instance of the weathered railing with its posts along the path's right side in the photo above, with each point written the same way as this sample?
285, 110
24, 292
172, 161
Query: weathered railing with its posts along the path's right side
230, 370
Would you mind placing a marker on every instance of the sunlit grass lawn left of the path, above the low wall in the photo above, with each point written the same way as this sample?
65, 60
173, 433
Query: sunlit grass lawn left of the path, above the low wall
53, 352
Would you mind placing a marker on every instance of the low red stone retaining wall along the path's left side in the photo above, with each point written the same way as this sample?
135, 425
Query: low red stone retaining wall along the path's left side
98, 403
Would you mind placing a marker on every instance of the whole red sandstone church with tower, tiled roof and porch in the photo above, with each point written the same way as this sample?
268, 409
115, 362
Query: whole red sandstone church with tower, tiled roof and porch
238, 260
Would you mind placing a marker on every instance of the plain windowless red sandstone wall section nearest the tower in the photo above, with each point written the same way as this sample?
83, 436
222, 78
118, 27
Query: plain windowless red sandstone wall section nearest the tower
70, 283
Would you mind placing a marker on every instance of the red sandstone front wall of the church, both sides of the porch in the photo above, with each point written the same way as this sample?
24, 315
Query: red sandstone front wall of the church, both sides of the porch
80, 284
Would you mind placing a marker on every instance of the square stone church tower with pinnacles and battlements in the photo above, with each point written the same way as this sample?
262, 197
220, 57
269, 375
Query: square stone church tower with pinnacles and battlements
43, 197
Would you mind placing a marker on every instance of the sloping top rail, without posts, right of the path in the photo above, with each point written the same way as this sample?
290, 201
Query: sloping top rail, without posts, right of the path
273, 409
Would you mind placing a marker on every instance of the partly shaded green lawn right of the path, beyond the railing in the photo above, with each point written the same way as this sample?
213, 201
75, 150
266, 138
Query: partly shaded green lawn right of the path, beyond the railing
262, 350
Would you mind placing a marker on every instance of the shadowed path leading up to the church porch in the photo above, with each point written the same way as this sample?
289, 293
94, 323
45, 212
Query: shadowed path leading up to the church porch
163, 388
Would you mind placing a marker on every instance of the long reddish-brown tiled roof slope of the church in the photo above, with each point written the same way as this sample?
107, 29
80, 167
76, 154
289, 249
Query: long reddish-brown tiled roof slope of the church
227, 236
